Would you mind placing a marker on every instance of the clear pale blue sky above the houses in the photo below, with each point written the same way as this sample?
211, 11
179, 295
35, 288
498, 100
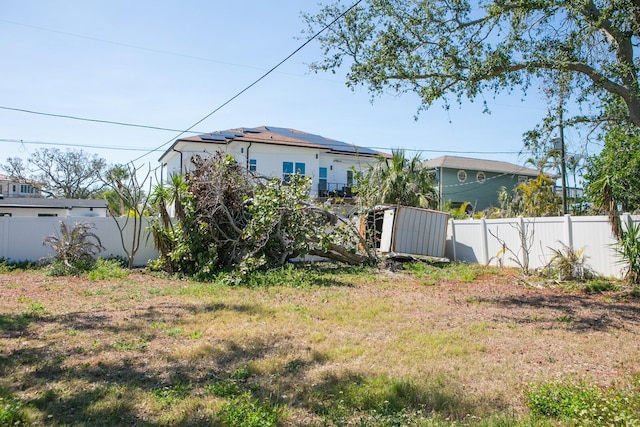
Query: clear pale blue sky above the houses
169, 64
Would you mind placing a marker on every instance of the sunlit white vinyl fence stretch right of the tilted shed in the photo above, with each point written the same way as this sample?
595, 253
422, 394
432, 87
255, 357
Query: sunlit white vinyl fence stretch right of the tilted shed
481, 241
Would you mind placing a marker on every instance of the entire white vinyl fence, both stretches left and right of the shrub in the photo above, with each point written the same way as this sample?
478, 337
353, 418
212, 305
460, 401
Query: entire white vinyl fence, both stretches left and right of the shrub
474, 241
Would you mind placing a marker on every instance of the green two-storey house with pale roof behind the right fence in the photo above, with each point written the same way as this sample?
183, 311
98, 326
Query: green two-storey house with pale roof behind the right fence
477, 181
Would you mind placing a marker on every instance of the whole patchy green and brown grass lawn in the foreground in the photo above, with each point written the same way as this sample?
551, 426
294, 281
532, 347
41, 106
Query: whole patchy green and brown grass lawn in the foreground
317, 346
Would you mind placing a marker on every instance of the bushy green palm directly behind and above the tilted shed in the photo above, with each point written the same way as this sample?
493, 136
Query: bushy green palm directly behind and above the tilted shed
398, 180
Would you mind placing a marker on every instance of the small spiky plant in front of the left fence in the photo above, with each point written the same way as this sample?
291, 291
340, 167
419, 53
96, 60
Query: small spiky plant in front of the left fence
75, 247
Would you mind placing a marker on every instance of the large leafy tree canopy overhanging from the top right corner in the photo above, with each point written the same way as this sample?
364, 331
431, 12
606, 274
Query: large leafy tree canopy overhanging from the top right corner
442, 49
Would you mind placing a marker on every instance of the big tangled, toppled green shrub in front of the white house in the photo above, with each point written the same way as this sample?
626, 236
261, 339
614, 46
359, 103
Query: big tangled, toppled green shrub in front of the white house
227, 218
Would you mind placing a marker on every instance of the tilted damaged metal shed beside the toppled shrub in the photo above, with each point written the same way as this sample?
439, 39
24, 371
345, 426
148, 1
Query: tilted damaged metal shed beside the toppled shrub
404, 230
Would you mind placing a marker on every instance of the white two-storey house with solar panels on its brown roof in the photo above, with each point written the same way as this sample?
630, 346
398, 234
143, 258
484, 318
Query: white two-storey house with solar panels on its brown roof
278, 152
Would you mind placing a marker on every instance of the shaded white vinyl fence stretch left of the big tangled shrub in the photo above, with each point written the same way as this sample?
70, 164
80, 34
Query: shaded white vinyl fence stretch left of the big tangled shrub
21, 237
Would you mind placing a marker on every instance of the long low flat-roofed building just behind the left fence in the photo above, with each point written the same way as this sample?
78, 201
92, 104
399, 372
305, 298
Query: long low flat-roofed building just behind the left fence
38, 206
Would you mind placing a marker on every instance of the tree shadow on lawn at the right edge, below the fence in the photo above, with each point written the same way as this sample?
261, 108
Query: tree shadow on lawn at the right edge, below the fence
582, 313
